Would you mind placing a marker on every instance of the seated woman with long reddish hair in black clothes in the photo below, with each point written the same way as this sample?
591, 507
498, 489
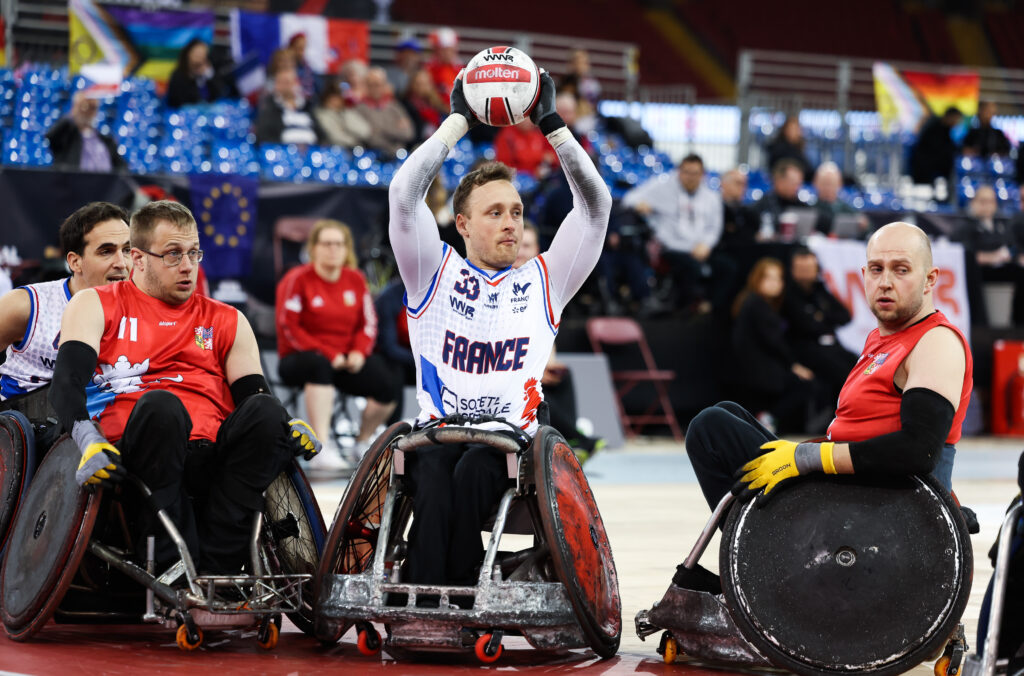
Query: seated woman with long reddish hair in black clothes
774, 382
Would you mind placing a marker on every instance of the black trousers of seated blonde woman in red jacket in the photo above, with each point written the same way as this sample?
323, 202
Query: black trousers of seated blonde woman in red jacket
375, 379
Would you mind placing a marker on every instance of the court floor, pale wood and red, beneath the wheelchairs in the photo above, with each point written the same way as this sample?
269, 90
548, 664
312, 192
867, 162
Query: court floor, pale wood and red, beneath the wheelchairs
654, 512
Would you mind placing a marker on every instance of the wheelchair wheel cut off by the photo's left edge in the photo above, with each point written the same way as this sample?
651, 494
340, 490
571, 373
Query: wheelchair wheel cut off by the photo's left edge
18, 463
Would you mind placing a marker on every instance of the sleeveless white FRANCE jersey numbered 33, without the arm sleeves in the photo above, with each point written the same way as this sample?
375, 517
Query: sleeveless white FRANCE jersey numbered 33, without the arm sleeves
483, 340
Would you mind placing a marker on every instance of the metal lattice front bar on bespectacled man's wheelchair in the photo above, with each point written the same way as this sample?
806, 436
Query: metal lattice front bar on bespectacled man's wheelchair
251, 595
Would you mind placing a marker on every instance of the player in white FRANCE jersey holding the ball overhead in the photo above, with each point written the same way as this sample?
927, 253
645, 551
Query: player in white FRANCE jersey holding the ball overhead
481, 331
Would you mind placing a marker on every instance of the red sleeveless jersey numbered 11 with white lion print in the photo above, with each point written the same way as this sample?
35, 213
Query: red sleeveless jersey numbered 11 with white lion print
149, 345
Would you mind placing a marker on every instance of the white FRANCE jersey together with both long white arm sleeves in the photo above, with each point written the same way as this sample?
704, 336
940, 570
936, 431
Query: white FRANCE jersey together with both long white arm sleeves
482, 340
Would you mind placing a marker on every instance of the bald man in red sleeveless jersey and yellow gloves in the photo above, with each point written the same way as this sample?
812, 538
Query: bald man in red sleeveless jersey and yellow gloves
900, 411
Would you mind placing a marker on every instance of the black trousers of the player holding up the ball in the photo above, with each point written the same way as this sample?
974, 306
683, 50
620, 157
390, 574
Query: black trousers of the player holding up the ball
456, 489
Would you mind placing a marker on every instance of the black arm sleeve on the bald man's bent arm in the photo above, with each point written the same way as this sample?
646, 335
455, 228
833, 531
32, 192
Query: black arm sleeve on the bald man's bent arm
926, 419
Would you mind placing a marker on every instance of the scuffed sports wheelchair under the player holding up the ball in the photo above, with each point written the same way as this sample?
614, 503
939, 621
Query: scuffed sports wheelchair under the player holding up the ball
561, 594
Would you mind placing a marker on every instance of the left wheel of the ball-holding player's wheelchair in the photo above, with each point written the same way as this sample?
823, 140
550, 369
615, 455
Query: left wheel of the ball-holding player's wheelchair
353, 539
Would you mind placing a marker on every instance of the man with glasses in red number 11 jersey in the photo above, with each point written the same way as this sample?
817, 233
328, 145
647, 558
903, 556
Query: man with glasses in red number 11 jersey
163, 383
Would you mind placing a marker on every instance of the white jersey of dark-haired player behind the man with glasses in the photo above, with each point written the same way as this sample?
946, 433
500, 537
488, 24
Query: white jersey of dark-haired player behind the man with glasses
30, 362
